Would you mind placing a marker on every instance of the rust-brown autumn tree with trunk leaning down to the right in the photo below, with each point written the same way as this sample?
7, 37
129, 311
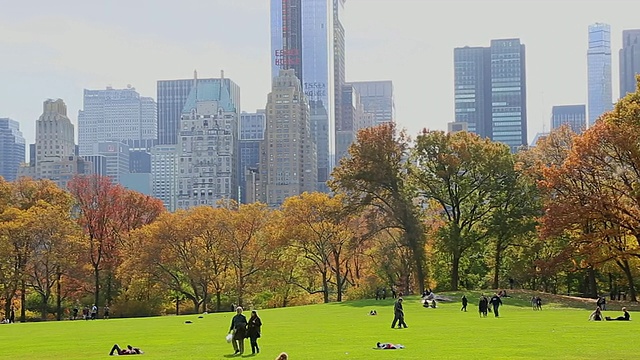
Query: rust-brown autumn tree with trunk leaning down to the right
373, 179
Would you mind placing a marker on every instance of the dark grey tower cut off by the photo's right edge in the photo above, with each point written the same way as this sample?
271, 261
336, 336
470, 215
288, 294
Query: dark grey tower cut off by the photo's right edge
629, 61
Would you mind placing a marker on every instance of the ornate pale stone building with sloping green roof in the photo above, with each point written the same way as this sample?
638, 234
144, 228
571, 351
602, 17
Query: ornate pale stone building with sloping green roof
207, 151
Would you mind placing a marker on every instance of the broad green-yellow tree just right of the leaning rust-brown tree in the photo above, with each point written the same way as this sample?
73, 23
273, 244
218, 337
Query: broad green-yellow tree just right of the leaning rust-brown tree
466, 176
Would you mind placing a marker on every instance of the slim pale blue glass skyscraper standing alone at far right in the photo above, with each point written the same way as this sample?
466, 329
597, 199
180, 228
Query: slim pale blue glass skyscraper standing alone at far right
599, 71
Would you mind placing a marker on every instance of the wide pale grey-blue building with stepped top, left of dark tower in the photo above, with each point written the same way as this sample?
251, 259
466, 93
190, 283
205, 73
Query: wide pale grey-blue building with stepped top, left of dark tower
120, 115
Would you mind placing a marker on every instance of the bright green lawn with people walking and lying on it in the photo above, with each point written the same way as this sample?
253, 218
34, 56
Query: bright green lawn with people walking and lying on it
346, 331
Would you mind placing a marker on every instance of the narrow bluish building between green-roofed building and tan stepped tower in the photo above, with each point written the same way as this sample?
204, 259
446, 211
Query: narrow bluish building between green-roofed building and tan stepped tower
251, 135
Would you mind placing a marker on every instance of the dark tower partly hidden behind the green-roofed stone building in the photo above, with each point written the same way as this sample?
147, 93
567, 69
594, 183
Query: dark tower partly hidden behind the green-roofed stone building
172, 96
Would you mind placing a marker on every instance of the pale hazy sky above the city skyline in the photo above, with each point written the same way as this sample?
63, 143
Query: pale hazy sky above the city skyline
56, 49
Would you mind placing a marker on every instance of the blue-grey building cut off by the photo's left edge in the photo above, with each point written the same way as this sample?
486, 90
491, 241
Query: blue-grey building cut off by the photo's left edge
12, 148
